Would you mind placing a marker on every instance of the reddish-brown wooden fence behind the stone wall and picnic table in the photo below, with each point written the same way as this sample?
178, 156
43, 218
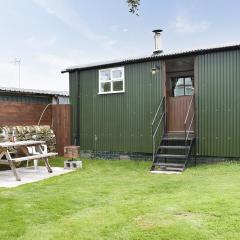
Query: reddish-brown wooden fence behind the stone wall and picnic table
24, 114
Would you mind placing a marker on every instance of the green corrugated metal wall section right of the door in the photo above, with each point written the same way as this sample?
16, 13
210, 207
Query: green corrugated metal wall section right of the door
218, 104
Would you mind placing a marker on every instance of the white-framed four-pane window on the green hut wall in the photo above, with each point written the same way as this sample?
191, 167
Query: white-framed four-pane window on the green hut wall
111, 80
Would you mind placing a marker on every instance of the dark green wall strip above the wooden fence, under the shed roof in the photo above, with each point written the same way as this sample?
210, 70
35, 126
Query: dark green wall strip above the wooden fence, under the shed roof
25, 98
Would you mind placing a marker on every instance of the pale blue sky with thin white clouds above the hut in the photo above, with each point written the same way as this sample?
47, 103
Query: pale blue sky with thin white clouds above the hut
51, 35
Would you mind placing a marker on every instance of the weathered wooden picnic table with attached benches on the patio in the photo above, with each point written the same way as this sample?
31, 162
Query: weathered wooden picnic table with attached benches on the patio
7, 158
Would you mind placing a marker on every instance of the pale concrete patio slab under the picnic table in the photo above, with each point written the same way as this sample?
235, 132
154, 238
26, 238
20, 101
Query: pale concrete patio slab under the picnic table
29, 175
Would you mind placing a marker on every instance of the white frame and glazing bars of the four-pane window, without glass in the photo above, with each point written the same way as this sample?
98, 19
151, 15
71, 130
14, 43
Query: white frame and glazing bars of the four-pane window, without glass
112, 80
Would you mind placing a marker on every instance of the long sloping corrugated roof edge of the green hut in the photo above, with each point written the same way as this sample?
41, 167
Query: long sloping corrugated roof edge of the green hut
152, 57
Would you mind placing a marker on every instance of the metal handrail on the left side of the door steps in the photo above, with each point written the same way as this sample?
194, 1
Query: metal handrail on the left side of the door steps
155, 130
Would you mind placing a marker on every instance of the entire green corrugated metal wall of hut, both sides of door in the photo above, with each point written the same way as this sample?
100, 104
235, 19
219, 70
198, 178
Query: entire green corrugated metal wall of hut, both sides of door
122, 122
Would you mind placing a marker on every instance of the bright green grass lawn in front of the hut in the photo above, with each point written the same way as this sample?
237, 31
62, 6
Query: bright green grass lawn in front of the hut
122, 200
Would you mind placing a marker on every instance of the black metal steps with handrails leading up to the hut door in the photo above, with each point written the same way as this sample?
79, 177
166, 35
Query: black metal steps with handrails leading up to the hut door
171, 151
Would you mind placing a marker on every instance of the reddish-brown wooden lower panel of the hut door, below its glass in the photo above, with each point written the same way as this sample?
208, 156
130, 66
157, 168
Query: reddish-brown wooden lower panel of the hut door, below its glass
177, 108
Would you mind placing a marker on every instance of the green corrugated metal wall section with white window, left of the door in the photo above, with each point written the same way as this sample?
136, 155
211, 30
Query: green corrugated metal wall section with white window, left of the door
121, 122
